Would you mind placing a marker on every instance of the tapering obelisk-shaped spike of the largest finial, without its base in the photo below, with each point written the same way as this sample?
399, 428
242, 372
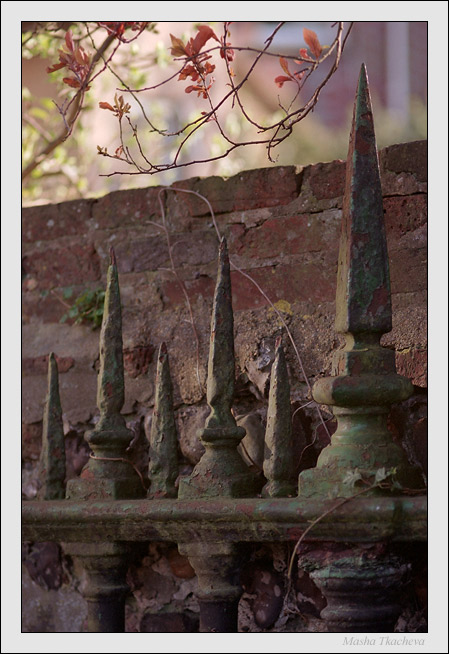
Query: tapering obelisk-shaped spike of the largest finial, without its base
363, 282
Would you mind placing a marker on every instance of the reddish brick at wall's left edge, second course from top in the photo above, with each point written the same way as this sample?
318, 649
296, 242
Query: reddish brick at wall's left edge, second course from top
62, 266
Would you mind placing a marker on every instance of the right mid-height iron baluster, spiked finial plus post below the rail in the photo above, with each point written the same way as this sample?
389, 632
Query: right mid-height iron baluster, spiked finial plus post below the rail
221, 470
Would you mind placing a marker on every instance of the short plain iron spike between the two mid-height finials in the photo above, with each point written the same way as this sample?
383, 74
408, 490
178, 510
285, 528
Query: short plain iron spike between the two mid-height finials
163, 467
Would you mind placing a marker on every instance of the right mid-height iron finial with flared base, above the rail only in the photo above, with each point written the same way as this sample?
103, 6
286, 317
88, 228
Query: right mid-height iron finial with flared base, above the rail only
221, 470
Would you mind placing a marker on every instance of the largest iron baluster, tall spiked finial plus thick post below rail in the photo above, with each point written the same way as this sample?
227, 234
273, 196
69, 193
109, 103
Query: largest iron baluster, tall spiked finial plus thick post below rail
360, 583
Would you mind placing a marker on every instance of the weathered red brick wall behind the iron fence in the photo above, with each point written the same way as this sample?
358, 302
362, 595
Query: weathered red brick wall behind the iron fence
282, 225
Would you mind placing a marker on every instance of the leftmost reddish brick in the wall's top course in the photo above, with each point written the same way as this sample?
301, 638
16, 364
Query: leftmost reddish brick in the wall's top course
50, 221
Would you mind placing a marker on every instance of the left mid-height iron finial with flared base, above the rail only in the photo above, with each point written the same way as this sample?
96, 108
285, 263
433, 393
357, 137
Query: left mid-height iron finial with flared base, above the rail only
108, 473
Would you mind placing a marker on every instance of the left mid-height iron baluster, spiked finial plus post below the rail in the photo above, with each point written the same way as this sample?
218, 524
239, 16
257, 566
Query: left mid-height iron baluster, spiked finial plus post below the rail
107, 475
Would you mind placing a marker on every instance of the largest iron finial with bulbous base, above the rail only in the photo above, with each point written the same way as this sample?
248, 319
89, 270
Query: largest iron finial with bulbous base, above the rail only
365, 382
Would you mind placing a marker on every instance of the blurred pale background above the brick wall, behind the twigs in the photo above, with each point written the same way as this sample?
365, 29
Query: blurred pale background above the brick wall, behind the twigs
395, 54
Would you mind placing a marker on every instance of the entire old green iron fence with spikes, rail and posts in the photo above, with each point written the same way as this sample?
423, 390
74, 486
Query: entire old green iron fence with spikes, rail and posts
104, 513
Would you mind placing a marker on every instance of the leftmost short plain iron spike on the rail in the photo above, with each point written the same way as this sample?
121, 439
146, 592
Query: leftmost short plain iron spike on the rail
52, 461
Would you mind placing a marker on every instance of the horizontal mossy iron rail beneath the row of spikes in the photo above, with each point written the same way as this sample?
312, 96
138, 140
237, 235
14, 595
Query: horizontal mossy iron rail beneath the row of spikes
234, 520
